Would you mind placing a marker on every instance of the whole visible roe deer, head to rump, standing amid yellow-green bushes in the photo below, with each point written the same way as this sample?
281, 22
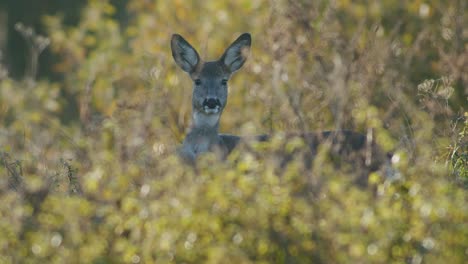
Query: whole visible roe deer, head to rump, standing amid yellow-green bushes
210, 96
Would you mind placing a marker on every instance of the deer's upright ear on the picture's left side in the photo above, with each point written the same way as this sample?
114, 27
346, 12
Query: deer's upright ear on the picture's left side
184, 54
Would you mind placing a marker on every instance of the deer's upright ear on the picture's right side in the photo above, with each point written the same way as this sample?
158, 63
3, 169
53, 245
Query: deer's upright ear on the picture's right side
235, 56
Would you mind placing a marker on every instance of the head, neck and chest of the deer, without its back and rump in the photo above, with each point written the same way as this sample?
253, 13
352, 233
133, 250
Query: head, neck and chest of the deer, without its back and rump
209, 94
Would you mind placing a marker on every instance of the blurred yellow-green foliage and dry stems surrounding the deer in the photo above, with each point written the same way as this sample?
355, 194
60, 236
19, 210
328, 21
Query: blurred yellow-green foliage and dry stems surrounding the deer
88, 172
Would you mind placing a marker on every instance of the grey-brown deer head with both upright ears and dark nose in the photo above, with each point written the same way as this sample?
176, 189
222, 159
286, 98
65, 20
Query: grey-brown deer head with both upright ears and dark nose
210, 78
